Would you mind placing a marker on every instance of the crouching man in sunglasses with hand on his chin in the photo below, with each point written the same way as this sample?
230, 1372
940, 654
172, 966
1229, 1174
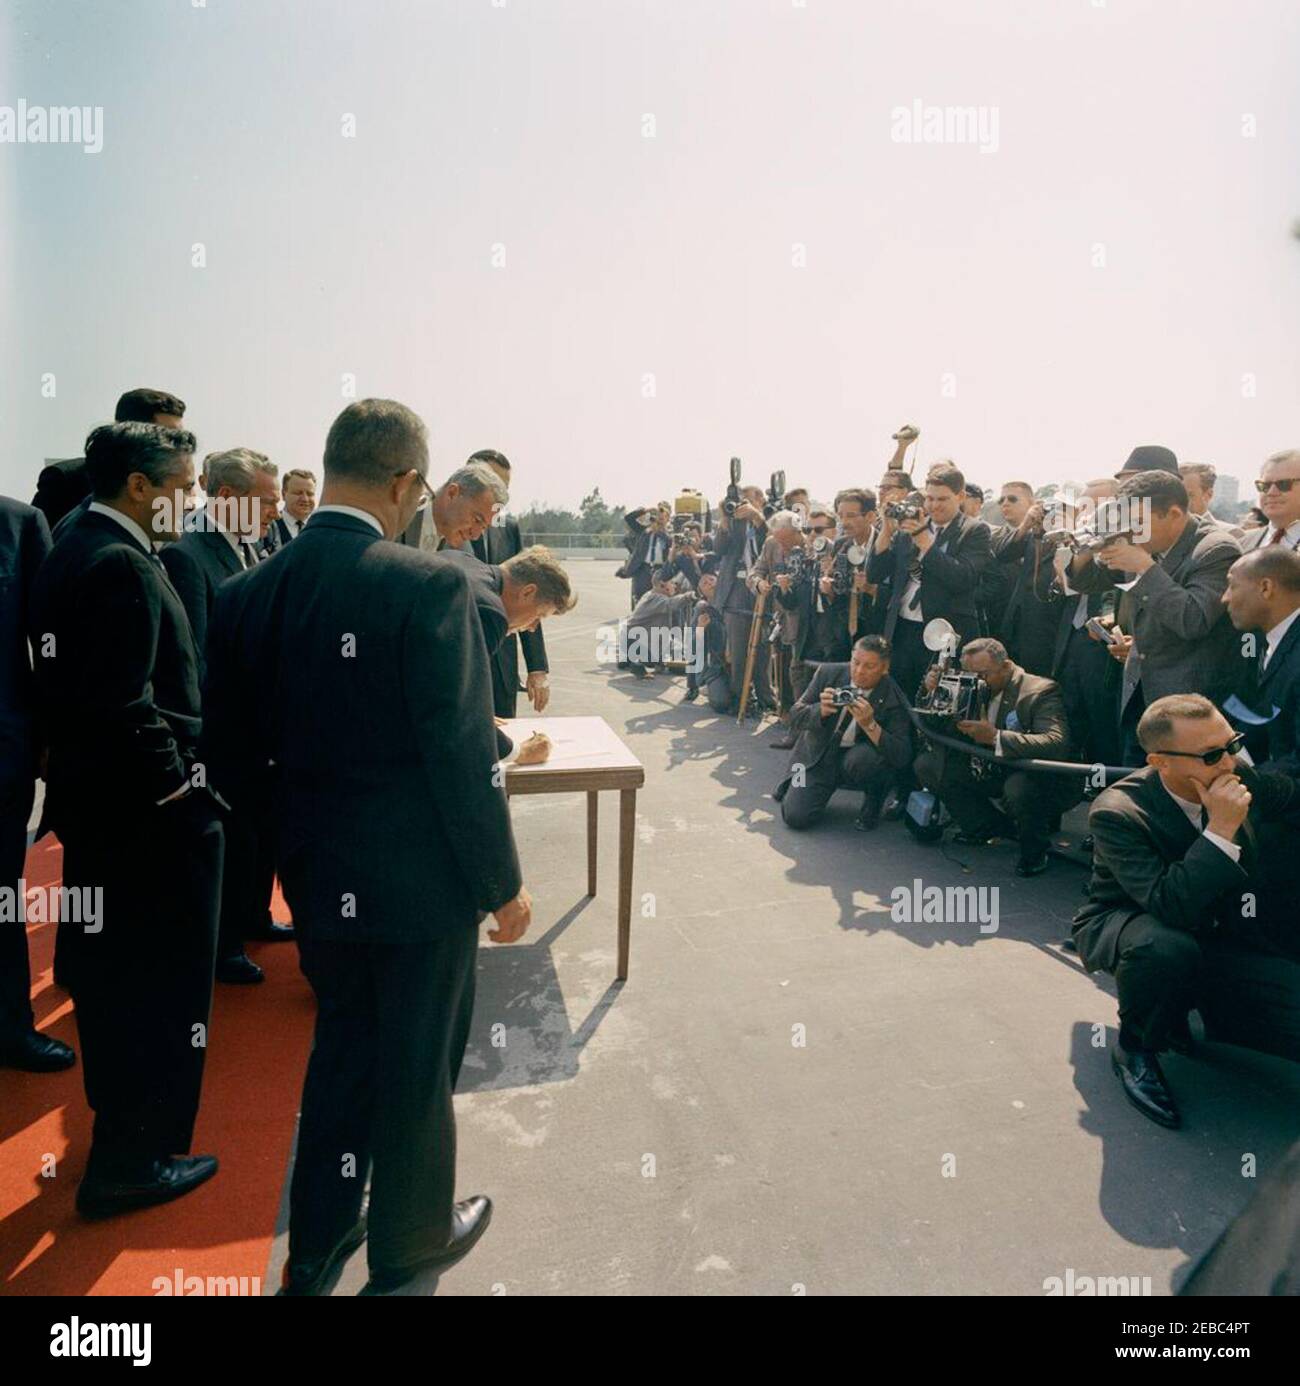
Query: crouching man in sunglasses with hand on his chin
1175, 878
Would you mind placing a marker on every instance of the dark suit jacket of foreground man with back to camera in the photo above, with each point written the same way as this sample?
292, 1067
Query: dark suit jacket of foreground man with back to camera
358, 672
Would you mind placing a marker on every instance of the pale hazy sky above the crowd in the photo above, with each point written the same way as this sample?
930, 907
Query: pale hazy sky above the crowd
954, 289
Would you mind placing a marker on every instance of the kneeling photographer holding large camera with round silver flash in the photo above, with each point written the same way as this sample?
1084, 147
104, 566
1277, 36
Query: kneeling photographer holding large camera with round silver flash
1024, 719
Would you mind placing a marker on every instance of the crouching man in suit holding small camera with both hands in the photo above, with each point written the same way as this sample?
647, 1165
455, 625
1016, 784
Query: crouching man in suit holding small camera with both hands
863, 746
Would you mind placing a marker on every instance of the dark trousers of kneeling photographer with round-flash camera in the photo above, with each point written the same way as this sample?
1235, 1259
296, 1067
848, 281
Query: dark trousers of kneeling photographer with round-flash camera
1030, 800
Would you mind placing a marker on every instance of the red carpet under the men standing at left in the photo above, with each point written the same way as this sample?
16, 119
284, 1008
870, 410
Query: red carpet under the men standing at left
258, 1047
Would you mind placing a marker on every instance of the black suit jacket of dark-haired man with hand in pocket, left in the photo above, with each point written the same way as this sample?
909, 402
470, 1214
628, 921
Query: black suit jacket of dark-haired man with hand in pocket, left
120, 699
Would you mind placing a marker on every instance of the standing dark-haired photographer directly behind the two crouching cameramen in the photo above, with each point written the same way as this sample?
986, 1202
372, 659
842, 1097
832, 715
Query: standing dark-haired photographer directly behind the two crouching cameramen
933, 566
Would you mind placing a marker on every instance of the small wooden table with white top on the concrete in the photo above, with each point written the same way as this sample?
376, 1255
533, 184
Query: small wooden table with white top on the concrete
587, 757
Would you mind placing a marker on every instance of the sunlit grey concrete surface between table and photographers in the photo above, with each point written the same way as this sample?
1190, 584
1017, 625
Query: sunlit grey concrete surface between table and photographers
793, 1093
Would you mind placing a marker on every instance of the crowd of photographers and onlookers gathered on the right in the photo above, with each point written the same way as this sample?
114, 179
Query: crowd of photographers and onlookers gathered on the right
1118, 642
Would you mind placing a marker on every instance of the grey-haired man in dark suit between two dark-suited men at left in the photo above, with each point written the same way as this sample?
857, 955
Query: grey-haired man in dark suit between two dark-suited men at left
222, 540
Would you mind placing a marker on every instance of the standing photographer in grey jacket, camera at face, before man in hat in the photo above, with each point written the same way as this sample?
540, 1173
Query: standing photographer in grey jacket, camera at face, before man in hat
1180, 635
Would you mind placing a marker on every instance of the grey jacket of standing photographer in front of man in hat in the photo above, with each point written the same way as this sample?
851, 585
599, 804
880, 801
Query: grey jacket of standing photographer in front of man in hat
1183, 638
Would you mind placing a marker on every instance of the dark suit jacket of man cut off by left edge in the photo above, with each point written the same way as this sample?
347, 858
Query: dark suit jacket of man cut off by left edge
24, 544
